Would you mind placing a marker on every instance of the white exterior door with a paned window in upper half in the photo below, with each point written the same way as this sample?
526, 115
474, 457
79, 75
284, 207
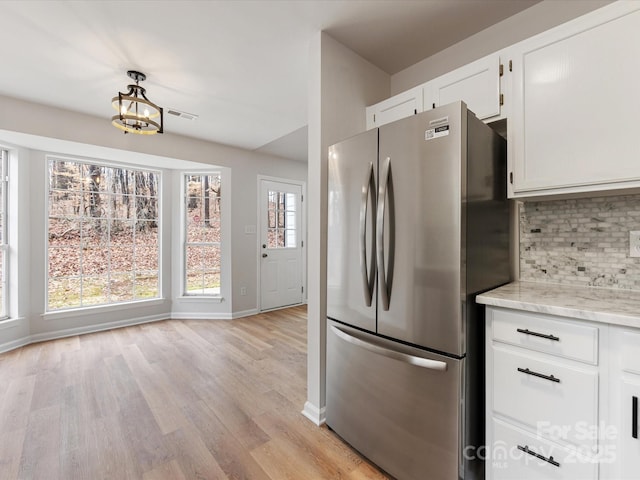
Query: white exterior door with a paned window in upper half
280, 244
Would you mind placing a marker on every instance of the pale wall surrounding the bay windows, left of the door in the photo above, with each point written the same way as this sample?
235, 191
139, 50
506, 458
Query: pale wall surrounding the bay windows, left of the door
46, 129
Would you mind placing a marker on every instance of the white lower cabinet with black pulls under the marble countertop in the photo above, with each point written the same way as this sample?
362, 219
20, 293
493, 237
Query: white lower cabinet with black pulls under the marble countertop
563, 398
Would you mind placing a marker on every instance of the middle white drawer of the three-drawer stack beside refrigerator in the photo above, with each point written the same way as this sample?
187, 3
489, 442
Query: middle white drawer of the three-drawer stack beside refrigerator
555, 400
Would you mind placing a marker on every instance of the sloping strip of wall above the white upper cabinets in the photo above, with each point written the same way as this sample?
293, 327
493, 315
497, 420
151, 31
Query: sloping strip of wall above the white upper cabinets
538, 18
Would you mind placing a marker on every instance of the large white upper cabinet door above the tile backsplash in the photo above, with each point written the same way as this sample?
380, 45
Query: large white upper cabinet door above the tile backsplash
576, 103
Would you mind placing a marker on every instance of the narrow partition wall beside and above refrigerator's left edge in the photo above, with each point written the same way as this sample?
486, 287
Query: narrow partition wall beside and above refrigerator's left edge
341, 85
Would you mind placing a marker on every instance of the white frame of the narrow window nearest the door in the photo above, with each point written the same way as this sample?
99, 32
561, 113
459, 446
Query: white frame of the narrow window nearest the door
184, 196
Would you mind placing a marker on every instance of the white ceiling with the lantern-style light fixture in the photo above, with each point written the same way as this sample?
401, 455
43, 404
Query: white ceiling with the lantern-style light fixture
241, 65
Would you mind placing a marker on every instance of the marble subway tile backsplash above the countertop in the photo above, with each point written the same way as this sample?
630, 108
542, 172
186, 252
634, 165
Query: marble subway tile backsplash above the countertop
580, 241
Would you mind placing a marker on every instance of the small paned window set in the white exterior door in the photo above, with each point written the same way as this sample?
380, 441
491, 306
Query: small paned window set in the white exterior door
282, 220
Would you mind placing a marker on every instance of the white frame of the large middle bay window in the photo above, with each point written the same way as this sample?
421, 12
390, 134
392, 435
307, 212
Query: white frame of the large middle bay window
75, 309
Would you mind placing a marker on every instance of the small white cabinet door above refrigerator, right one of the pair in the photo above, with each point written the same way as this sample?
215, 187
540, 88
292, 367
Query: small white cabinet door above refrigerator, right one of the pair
477, 84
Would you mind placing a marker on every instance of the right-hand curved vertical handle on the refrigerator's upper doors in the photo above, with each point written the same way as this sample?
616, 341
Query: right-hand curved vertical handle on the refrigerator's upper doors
384, 278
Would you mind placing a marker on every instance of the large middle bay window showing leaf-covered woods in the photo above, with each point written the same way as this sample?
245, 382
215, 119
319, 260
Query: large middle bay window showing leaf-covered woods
103, 234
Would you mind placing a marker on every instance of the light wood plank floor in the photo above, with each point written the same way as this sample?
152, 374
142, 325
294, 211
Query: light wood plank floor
192, 399
